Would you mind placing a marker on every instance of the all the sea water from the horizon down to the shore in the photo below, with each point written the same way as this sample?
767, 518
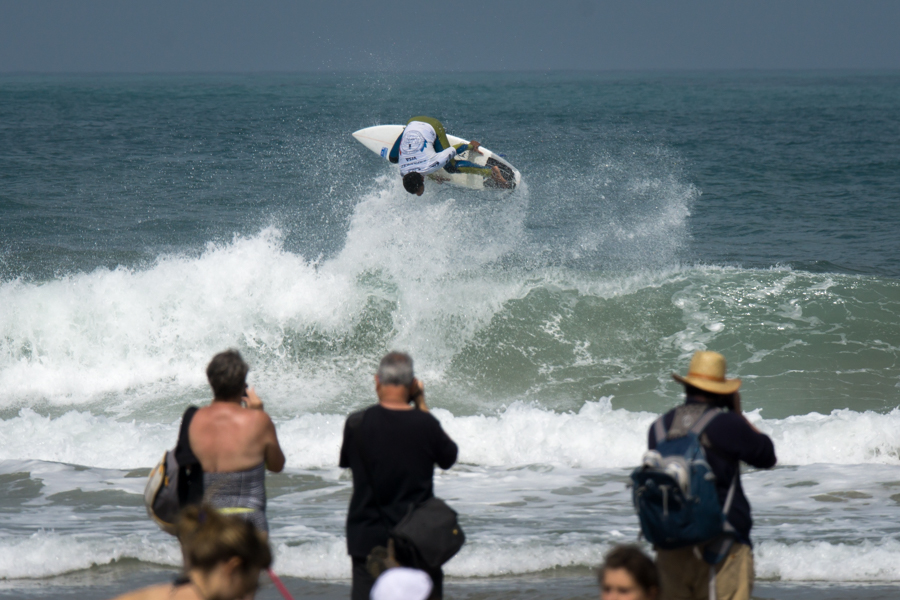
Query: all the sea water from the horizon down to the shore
147, 223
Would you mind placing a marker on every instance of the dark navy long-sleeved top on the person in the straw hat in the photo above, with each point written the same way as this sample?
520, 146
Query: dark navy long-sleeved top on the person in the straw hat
732, 440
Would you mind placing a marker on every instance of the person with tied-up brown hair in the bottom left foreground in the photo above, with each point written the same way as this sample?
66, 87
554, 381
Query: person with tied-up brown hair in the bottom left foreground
225, 554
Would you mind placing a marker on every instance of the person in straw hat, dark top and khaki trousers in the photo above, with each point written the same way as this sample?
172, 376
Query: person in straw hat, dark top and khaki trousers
728, 439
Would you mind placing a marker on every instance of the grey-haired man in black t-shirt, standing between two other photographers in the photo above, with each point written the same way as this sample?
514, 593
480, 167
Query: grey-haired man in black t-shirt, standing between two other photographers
401, 442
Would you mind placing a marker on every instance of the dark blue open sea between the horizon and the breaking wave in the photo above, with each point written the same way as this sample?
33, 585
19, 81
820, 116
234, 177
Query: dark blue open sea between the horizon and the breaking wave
787, 168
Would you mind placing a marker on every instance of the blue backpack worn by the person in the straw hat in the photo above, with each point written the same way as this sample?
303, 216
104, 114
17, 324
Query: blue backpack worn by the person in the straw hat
674, 489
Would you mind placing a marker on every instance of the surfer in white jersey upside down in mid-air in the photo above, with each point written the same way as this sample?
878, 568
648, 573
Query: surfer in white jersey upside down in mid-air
423, 148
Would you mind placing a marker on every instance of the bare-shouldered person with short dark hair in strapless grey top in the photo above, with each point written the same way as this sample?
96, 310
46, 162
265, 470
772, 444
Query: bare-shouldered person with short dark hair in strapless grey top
234, 441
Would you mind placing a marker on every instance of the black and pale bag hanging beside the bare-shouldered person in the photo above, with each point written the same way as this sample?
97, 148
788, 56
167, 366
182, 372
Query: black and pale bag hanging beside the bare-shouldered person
176, 481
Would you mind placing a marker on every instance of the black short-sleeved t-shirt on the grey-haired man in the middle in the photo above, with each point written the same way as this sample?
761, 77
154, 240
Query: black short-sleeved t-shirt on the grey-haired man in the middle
401, 448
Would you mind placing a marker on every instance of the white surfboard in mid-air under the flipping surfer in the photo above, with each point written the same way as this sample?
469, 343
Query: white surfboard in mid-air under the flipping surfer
380, 139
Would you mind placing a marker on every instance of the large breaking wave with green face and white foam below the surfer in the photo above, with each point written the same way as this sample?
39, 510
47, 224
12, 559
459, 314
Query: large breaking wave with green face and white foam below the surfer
137, 341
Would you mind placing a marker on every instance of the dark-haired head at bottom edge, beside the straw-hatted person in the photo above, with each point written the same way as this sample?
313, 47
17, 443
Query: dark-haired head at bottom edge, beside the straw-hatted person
628, 574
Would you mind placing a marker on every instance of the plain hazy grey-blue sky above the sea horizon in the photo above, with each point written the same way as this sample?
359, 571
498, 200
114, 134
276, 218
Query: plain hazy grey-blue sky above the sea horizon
216, 36
